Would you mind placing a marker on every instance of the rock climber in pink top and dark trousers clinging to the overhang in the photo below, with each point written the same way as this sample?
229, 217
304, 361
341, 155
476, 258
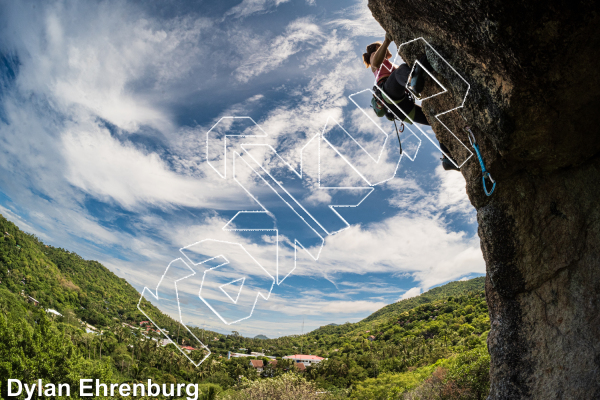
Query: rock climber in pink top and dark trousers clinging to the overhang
392, 81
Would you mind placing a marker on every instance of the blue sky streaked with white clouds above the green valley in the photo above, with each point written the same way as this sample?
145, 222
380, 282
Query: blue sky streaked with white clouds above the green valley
104, 114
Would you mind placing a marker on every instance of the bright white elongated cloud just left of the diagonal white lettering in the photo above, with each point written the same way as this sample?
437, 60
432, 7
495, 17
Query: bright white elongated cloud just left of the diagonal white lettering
99, 164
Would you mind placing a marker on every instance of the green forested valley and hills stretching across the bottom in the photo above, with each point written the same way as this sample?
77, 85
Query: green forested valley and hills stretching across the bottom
432, 342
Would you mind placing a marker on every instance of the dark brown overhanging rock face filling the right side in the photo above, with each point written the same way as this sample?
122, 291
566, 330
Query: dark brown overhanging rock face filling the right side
534, 106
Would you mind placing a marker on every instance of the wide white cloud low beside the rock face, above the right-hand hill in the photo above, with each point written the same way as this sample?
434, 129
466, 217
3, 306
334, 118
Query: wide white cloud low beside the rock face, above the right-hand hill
420, 245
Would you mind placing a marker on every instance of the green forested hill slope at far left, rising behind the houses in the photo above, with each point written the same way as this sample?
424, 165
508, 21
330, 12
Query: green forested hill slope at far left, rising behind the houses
64, 281
